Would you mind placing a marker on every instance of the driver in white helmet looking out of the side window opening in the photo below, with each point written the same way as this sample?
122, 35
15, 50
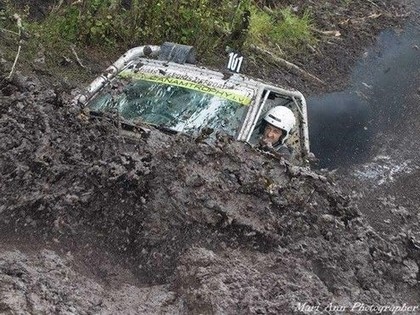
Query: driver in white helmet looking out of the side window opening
277, 125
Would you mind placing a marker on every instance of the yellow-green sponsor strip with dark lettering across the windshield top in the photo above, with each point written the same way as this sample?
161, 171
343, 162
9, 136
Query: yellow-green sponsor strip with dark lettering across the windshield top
229, 94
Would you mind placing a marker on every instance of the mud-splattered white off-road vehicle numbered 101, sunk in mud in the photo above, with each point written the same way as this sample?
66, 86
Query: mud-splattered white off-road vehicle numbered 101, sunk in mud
161, 86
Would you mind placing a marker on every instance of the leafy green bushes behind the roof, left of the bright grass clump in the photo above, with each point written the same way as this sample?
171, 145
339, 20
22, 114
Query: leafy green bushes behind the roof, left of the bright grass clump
109, 23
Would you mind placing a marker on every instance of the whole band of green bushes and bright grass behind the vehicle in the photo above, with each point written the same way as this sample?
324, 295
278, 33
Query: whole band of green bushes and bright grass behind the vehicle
208, 25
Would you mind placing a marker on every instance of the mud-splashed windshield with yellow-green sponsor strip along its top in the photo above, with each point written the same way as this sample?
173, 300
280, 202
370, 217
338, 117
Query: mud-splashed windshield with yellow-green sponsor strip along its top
177, 104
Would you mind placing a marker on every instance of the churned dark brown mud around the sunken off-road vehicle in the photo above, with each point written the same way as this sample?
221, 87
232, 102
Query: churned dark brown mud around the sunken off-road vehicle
93, 222
